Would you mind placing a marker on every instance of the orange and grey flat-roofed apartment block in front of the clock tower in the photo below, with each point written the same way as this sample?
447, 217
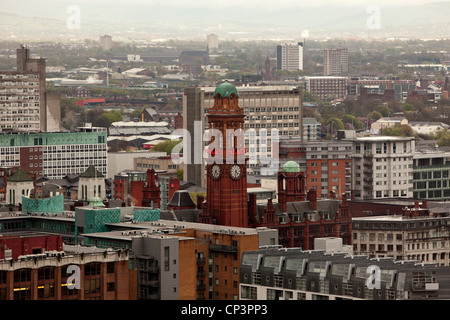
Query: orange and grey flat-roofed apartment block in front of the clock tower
178, 260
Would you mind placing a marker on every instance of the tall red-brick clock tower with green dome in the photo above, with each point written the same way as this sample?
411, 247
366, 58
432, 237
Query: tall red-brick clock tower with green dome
226, 181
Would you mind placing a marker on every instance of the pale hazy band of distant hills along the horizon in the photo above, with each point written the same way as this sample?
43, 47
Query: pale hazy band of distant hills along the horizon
49, 17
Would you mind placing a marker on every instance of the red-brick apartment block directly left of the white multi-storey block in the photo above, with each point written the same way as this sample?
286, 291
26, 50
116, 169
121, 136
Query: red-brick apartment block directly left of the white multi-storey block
327, 164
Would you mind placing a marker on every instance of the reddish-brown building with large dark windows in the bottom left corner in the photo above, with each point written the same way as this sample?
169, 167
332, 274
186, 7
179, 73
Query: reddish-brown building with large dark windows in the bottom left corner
102, 275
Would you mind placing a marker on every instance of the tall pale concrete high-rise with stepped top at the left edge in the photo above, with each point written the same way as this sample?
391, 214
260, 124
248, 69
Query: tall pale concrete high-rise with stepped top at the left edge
25, 104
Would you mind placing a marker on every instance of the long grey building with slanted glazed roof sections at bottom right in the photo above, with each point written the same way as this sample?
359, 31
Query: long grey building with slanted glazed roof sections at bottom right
281, 274
